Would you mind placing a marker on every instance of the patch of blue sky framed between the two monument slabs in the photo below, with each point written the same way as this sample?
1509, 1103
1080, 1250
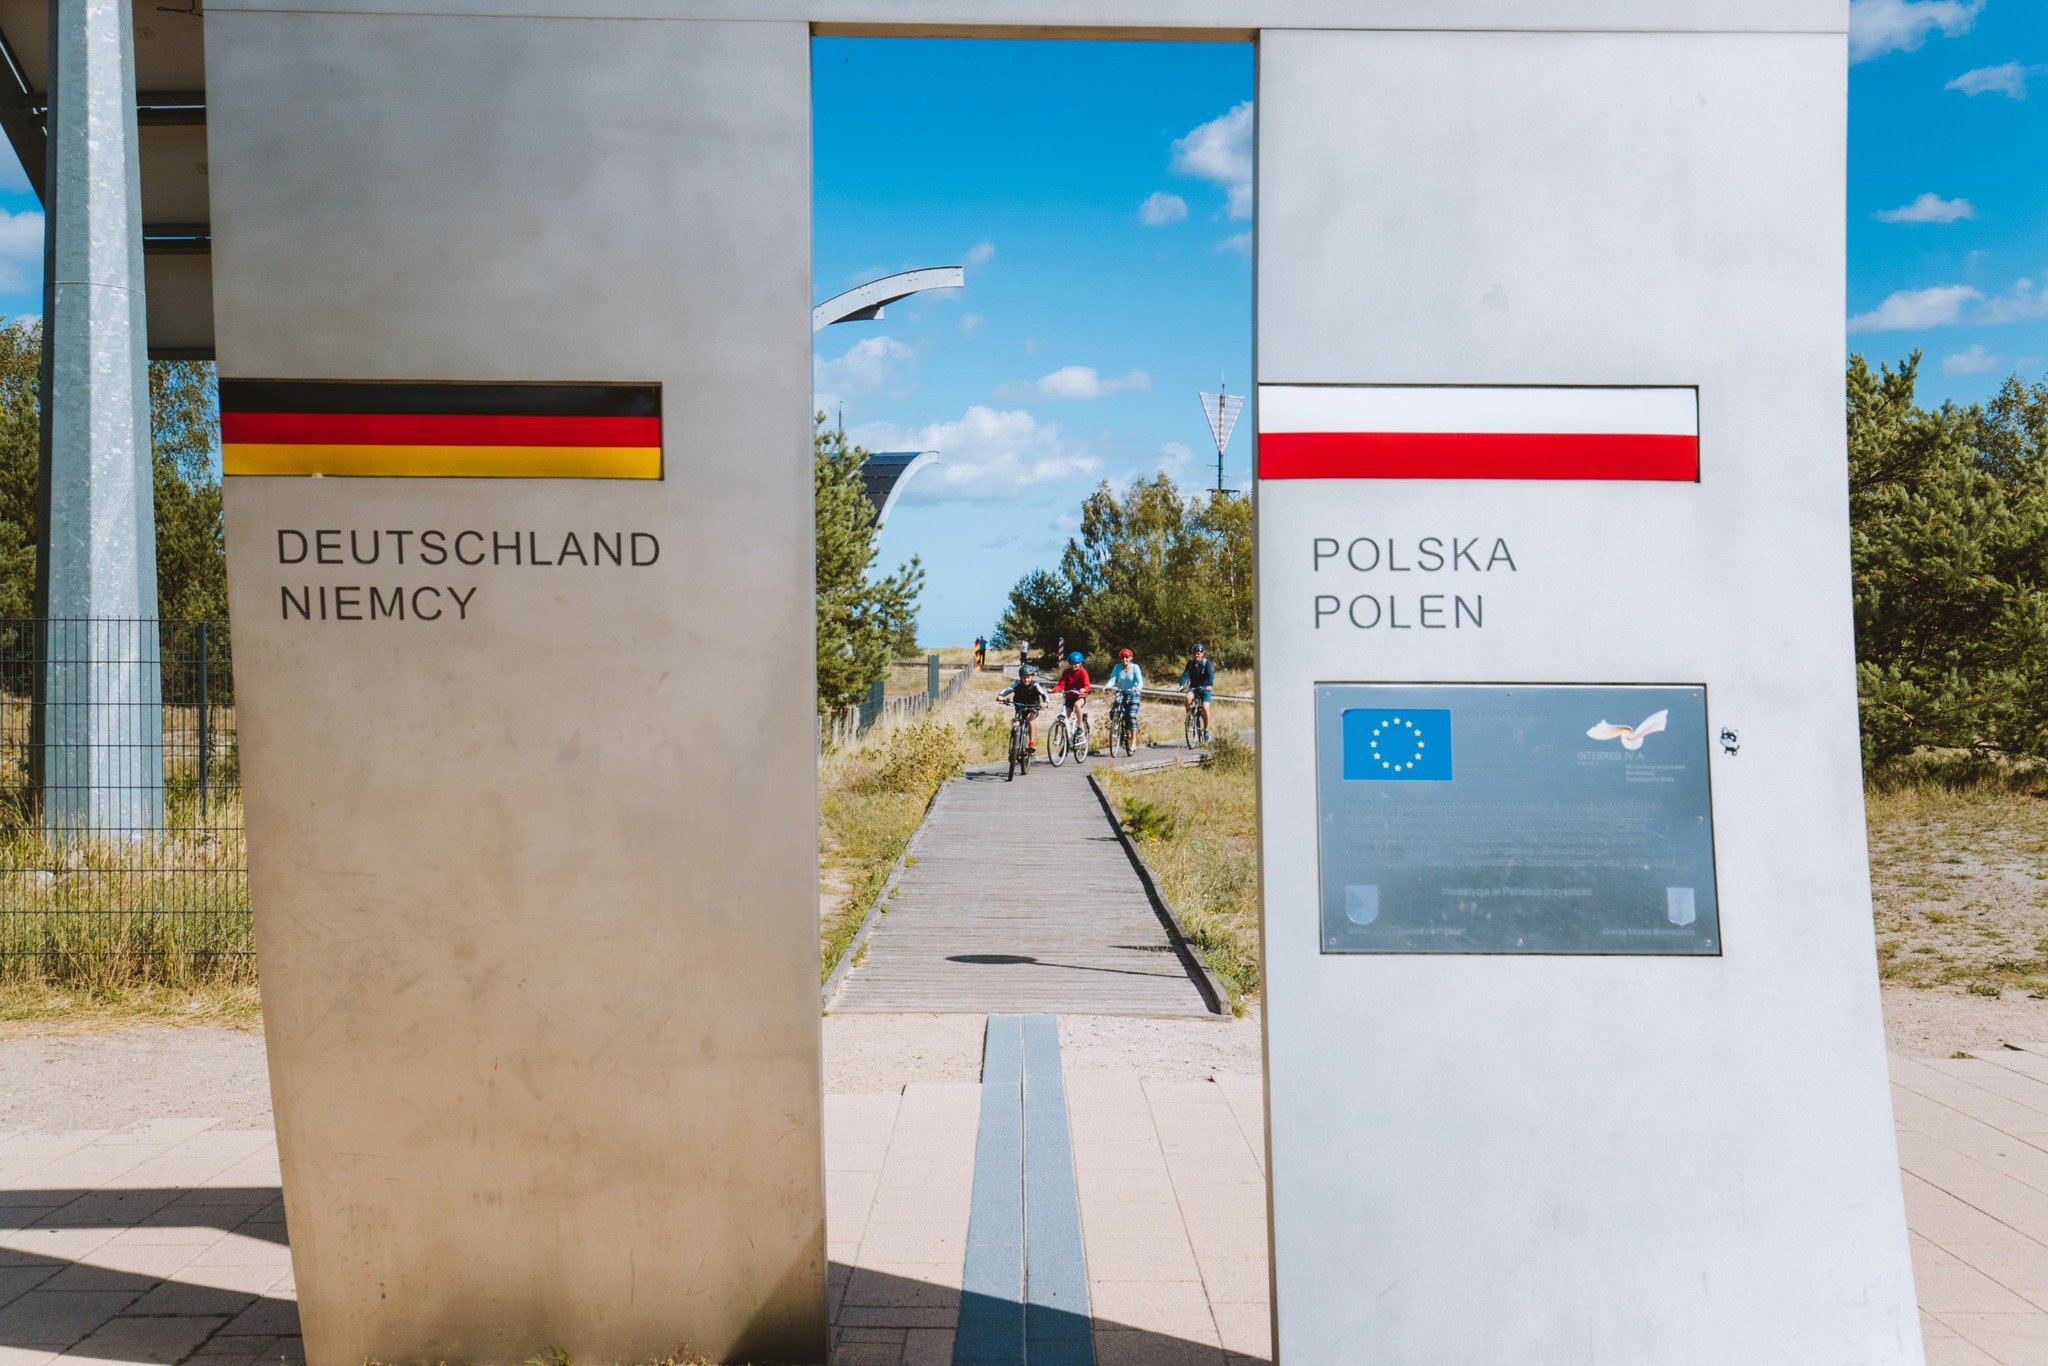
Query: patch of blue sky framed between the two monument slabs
1101, 200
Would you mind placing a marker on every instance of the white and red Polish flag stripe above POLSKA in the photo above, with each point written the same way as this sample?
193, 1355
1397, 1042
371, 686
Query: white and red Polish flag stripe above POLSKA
1478, 433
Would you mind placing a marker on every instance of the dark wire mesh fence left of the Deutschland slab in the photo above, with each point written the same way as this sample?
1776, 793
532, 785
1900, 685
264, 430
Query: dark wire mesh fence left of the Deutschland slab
122, 849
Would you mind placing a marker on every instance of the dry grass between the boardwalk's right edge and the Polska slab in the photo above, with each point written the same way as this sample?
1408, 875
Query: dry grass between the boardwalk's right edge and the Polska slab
1199, 830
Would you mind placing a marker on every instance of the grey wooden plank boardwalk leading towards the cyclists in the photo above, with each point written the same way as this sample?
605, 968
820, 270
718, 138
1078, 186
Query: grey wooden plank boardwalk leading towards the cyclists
1021, 902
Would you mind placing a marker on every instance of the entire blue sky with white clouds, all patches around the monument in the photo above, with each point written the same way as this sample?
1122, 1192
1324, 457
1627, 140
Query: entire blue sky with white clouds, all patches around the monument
1099, 196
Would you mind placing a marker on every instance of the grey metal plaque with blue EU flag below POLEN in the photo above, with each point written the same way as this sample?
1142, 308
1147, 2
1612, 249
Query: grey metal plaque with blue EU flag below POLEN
1560, 820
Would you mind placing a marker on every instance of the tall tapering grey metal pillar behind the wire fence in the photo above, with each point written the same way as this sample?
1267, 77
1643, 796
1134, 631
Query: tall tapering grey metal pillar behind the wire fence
101, 693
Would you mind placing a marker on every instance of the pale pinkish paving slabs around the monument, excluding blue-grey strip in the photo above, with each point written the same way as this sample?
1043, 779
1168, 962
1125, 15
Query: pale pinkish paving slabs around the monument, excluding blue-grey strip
165, 1242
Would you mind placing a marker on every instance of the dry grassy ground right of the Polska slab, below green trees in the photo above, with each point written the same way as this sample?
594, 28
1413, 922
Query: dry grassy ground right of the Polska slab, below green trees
1961, 886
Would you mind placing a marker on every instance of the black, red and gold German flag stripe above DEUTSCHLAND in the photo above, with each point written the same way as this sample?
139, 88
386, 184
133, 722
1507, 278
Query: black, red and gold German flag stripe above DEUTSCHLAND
441, 431
